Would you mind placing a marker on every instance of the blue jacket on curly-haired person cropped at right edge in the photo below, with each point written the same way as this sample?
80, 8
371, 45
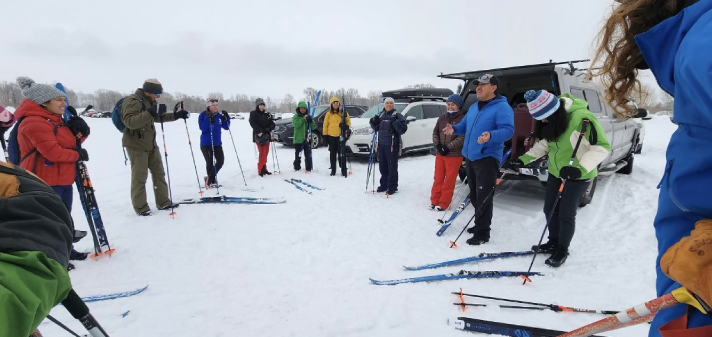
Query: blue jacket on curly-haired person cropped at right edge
673, 51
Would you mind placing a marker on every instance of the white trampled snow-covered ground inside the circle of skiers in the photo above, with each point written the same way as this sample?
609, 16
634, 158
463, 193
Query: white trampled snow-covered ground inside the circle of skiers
302, 268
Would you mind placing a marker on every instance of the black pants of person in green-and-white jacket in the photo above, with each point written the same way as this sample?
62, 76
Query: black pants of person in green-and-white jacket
563, 223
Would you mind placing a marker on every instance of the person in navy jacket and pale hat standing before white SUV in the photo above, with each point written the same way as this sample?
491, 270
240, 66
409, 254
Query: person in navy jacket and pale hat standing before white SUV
391, 125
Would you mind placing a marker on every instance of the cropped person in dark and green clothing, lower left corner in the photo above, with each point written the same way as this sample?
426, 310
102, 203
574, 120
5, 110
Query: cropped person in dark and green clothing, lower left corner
36, 233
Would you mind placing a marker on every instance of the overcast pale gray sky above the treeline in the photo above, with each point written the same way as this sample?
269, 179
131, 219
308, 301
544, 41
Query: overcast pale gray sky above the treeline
274, 47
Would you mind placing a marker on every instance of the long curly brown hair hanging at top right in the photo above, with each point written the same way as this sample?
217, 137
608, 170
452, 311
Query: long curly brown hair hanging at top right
617, 52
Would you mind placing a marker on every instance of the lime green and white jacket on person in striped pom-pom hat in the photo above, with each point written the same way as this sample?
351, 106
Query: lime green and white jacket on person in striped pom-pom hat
592, 151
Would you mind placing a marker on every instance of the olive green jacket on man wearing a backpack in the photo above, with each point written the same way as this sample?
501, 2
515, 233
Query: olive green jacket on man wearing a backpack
140, 131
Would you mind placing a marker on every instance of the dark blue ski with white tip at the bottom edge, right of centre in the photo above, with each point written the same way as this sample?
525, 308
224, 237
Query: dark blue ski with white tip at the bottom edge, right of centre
504, 329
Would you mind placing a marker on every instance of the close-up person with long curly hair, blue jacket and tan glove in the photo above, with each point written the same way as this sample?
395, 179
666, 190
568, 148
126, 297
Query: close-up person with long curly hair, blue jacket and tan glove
672, 38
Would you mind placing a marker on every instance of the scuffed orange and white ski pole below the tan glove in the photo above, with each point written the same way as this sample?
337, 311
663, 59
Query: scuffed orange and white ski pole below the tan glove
642, 313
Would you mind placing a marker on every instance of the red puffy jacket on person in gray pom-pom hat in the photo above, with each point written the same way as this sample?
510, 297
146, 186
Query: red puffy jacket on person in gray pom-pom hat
55, 159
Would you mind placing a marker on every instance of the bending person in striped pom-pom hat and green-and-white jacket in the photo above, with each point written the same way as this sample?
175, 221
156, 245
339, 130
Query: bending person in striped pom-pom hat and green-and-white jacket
559, 124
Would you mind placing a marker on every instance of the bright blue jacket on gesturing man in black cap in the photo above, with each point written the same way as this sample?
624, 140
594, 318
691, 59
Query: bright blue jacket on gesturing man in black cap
497, 117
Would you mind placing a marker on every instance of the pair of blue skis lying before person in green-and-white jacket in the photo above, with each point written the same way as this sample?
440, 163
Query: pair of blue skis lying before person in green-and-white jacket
463, 274
